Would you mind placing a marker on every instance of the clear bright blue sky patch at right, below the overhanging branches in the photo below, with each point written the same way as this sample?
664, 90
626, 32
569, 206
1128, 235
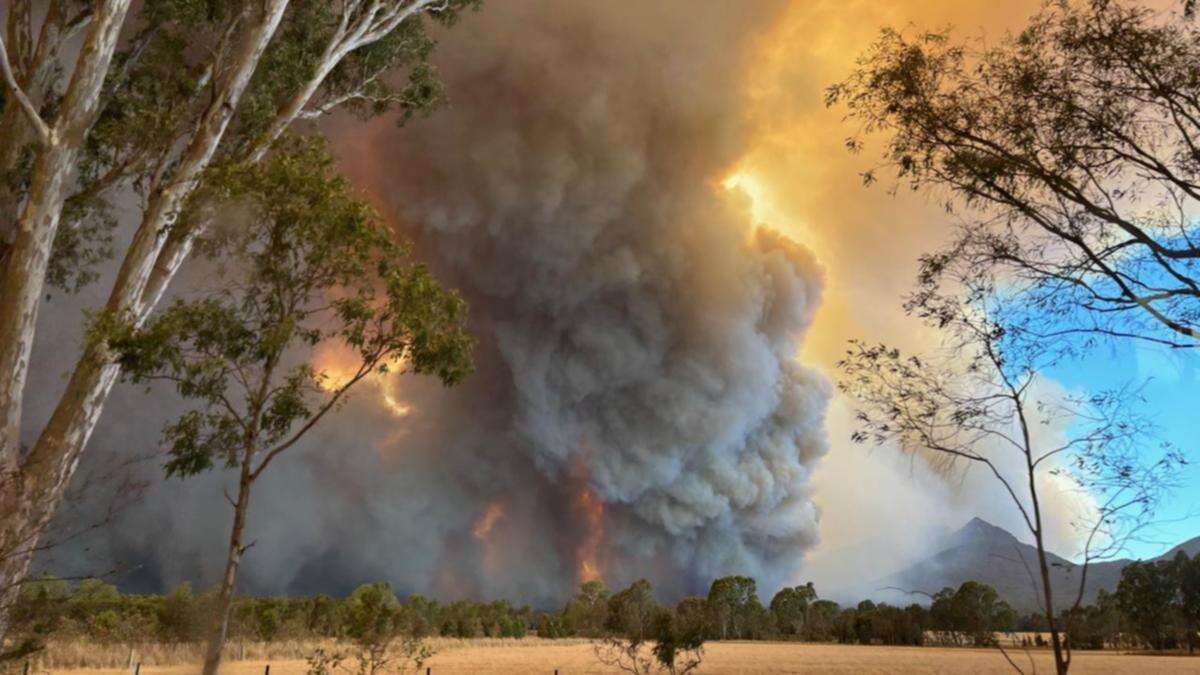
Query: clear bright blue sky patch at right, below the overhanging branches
1172, 380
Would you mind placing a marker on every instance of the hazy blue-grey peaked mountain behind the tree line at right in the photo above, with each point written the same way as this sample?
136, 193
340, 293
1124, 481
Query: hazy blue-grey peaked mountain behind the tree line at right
989, 554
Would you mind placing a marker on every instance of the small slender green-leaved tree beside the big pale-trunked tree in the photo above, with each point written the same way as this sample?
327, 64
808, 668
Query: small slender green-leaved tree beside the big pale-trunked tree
319, 270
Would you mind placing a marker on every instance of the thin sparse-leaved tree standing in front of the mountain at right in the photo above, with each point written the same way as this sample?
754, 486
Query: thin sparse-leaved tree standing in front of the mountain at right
981, 402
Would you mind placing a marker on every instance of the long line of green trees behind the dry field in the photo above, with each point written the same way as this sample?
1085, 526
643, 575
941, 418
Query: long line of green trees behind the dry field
1156, 606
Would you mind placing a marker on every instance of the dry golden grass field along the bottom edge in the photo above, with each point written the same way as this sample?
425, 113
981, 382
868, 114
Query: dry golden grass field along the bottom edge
533, 656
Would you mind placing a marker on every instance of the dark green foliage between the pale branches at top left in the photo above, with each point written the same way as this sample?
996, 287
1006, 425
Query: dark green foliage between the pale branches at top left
161, 83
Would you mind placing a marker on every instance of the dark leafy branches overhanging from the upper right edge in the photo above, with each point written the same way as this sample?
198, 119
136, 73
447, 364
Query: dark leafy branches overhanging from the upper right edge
1072, 152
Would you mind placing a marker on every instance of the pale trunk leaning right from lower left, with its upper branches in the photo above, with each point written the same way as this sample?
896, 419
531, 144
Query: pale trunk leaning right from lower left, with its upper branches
151, 264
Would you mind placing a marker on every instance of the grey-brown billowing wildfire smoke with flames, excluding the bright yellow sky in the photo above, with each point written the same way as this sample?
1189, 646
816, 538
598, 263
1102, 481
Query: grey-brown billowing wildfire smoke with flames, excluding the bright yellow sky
638, 410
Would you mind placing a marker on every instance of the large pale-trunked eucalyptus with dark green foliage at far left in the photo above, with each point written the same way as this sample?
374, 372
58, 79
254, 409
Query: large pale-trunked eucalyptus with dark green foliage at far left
158, 99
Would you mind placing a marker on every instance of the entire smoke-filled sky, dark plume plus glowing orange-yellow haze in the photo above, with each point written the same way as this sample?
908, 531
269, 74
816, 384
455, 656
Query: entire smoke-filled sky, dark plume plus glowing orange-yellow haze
665, 247
